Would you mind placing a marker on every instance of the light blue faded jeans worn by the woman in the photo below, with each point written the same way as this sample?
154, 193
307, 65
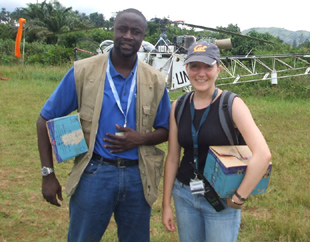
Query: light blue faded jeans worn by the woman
198, 221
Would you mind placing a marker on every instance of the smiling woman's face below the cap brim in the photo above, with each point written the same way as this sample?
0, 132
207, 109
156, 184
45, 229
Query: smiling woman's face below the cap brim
201, 75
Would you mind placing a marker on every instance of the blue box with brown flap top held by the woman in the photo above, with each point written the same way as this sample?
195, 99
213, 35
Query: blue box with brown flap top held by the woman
225, 168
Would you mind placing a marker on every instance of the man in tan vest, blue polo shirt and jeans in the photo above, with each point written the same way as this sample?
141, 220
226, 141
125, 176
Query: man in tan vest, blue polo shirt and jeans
124, 111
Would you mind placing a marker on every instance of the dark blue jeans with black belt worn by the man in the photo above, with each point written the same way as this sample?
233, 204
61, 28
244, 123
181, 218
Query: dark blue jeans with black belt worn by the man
102, 191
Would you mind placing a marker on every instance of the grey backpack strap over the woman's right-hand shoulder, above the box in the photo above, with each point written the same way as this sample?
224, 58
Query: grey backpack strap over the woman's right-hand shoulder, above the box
225, 116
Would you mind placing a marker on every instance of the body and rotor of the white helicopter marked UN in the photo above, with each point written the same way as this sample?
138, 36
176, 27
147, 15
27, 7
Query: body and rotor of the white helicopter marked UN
168, 57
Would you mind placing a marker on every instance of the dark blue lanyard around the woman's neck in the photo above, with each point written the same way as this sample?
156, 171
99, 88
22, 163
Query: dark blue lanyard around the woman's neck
194, 132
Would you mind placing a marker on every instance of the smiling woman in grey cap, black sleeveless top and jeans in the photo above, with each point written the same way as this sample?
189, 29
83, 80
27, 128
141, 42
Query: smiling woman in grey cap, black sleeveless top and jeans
197, 220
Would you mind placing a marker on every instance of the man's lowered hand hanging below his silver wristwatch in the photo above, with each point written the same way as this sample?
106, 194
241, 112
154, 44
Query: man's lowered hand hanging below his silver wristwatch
50, 189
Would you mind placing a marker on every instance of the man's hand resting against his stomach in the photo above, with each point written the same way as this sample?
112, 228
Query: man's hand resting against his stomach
120, 143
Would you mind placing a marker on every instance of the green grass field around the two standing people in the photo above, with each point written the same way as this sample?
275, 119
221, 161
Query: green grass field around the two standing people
282, 113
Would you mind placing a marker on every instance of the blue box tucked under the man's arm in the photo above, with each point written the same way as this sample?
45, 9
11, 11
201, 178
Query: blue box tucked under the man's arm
66, 137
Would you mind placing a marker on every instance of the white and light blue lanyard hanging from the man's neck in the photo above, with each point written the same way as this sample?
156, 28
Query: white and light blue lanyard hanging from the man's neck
116, 96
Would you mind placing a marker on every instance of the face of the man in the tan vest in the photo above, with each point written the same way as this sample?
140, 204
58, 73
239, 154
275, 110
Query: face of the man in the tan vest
129, 31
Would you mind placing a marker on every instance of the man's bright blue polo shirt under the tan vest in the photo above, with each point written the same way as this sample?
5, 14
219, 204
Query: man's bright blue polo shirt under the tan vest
63, 101
